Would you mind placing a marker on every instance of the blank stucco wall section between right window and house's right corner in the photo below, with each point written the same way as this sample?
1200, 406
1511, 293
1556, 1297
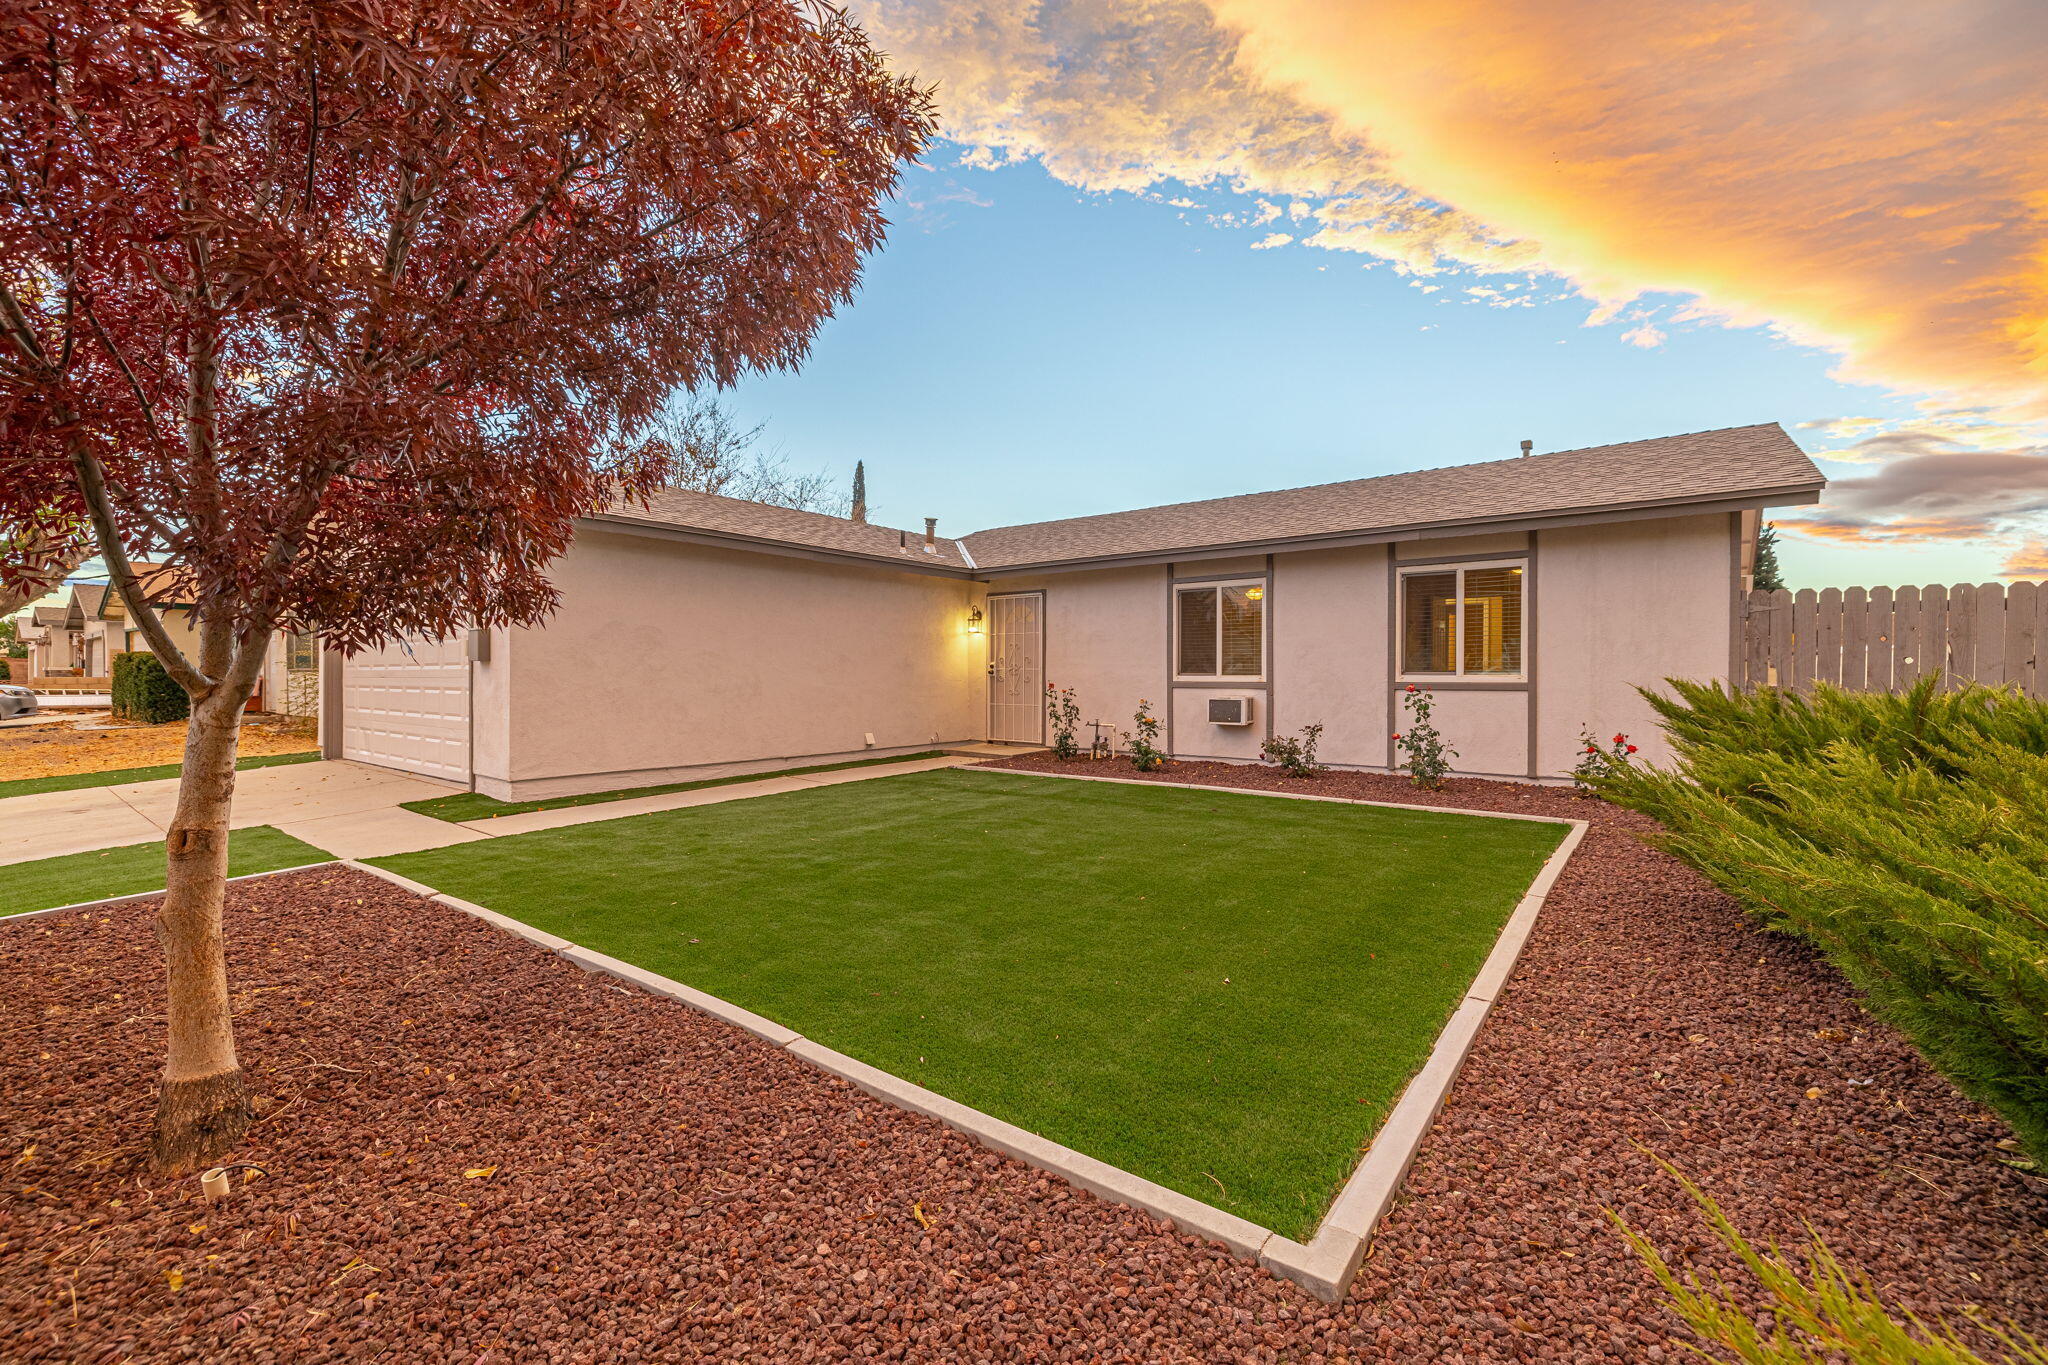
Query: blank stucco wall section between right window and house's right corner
1623, 607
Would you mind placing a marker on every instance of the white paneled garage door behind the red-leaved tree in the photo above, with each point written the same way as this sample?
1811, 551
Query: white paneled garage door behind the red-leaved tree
409, 707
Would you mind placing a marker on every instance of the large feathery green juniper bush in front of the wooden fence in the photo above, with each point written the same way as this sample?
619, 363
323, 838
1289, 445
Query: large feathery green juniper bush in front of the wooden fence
1904, 836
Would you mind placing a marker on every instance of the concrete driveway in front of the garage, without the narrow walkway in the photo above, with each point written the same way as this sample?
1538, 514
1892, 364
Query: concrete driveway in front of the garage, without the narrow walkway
349, 809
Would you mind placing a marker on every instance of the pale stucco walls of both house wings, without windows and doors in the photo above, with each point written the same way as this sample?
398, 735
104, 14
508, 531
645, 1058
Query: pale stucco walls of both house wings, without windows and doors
673, 660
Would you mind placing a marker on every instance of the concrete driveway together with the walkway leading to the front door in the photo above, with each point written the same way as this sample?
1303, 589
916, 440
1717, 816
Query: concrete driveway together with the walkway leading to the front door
347, 809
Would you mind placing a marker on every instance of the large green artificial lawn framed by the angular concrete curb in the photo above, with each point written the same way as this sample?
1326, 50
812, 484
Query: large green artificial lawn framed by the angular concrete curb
1205, 989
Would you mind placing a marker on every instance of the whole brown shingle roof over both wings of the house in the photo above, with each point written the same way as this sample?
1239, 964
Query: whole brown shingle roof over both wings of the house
1746, 461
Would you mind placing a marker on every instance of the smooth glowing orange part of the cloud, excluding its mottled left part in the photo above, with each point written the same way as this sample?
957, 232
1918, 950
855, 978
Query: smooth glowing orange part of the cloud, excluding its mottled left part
1865, 177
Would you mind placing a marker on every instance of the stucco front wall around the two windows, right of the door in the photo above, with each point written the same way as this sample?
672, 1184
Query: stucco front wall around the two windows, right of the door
1613, 605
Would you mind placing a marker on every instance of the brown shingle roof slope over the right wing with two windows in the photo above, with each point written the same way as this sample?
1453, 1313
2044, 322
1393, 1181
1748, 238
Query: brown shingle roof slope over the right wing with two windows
1670, 470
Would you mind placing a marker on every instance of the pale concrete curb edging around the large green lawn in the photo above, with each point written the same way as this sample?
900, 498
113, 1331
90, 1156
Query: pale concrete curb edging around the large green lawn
1330, 1262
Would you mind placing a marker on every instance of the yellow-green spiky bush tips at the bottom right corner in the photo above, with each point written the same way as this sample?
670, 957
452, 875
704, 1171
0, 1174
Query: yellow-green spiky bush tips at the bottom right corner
1814, 1315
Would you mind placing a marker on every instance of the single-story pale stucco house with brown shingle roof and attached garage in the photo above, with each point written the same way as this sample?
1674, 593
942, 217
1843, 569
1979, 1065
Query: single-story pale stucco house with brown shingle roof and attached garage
706, 635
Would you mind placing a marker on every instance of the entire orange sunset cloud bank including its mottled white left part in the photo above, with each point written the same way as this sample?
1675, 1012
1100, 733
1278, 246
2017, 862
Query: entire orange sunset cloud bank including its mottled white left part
1863, 175
